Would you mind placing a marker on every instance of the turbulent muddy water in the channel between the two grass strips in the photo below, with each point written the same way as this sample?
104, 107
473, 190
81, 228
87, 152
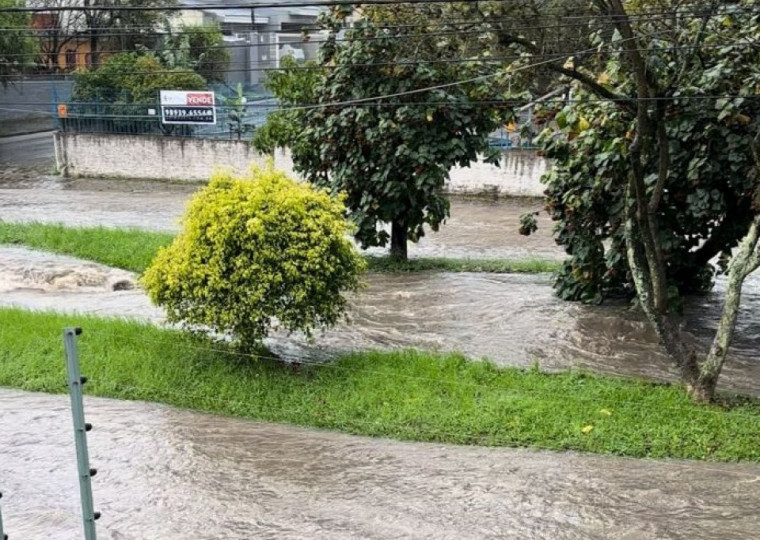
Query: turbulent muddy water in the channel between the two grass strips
510, 318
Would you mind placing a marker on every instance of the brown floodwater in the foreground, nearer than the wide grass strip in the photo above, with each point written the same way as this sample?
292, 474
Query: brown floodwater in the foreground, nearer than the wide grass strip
169, 474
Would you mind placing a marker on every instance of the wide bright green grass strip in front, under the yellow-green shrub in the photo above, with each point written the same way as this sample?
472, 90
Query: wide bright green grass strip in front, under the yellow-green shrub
405, 395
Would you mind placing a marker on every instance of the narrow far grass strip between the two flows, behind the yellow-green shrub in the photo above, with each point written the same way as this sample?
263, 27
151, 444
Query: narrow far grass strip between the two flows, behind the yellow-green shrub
133, 249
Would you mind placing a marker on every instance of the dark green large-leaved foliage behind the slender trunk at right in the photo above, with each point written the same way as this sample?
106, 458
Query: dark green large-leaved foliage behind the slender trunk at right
706, 205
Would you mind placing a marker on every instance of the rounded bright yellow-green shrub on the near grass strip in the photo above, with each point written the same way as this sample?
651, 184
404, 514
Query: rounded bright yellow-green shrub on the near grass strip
256, 248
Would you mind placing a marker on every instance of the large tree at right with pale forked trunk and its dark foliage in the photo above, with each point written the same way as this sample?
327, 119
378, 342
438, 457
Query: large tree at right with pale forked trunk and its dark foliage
662, 69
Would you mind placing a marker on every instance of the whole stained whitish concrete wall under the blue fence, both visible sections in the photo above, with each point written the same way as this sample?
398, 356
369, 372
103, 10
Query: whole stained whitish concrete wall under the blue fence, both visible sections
157, 157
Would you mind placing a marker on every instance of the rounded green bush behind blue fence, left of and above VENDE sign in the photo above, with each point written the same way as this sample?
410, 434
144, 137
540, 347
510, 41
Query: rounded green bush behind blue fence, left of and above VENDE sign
132, 78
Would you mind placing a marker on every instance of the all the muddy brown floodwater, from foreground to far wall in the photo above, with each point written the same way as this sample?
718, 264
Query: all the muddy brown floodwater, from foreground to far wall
169, 474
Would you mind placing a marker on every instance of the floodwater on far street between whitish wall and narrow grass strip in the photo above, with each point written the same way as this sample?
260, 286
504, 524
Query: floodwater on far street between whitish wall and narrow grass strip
477, 228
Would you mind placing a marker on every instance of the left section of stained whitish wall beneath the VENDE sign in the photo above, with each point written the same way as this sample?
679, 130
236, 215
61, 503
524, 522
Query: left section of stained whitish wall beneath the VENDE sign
150, 157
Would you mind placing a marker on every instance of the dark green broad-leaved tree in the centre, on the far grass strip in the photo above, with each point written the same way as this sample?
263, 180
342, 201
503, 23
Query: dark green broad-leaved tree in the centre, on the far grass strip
386, 128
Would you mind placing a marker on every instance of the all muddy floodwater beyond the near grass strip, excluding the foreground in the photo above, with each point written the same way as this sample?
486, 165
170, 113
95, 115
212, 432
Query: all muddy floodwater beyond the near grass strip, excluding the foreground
512, 319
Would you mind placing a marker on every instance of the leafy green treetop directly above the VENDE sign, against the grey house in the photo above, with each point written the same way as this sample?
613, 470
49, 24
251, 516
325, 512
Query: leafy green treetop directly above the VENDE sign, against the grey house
198, 48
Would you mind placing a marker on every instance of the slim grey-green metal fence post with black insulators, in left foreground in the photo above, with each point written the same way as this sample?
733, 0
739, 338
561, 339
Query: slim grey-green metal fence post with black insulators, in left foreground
80, 431
